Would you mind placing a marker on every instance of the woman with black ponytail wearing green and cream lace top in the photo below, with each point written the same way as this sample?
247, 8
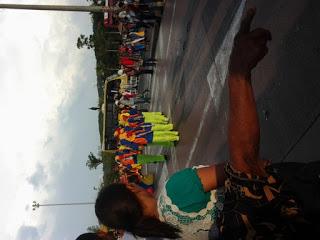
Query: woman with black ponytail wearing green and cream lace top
186, 207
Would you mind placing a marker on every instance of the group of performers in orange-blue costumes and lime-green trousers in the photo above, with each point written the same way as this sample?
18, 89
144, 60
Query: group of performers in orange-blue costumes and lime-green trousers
136, 130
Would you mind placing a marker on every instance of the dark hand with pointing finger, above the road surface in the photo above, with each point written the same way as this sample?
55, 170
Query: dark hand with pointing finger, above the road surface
249, 47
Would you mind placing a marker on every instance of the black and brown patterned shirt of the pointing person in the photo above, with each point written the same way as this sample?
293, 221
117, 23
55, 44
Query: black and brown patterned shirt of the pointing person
256, 208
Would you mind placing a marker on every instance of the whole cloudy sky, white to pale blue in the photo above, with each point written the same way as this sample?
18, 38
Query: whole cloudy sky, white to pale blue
47, 130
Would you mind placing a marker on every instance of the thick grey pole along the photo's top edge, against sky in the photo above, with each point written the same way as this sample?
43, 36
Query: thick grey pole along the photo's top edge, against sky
59, 8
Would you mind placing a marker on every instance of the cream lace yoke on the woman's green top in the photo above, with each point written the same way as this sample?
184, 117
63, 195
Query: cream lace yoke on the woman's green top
192, 224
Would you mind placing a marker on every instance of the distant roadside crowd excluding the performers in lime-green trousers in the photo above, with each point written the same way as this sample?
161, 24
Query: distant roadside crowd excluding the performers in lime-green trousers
135, 19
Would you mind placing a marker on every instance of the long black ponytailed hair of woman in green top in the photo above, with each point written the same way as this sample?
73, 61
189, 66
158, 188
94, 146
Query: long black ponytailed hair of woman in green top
118, 207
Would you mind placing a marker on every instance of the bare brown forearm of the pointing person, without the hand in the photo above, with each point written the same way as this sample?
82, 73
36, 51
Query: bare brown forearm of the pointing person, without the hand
244, 130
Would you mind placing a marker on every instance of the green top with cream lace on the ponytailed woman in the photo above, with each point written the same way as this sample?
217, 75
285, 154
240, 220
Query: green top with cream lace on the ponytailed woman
184, 204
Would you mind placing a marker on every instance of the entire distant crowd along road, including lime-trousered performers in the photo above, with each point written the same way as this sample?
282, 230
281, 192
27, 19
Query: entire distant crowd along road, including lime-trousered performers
137, 128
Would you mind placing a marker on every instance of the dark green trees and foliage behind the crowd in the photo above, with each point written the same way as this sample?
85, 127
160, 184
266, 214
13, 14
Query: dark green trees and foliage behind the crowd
102, 41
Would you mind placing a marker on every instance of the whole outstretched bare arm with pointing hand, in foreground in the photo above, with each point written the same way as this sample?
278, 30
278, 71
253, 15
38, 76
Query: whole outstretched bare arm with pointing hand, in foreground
244, 131
